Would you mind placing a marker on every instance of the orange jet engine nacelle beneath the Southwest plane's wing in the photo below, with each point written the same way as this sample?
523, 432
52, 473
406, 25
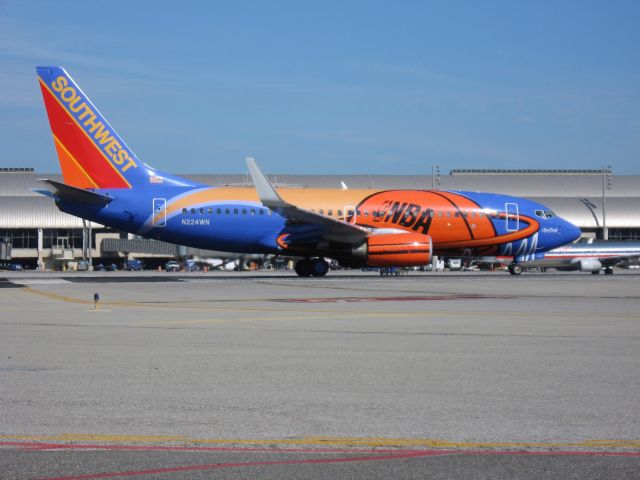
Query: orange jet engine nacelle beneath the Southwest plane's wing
398, 250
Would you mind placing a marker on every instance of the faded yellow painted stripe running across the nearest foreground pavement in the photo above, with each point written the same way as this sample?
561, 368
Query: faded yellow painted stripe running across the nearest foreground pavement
371, 442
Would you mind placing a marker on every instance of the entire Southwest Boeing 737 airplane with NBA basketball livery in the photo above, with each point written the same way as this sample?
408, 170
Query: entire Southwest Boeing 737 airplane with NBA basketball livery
106, 183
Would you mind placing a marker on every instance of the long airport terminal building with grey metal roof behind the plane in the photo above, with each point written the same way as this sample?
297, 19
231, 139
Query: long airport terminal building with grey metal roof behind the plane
34, 232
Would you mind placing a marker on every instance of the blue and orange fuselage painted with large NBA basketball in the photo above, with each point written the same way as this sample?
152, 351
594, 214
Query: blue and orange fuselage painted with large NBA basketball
233, 218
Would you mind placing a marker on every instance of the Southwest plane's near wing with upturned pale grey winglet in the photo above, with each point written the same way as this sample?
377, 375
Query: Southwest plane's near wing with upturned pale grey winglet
330, 228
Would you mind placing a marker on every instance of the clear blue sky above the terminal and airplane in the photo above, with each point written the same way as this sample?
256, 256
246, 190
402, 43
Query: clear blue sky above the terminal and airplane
335, 87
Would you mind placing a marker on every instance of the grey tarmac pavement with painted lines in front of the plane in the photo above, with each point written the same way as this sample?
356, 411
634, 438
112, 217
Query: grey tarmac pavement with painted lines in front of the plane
457, 375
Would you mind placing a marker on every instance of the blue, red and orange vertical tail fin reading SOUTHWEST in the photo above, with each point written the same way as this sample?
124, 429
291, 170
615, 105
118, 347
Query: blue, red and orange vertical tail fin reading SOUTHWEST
90, 151
